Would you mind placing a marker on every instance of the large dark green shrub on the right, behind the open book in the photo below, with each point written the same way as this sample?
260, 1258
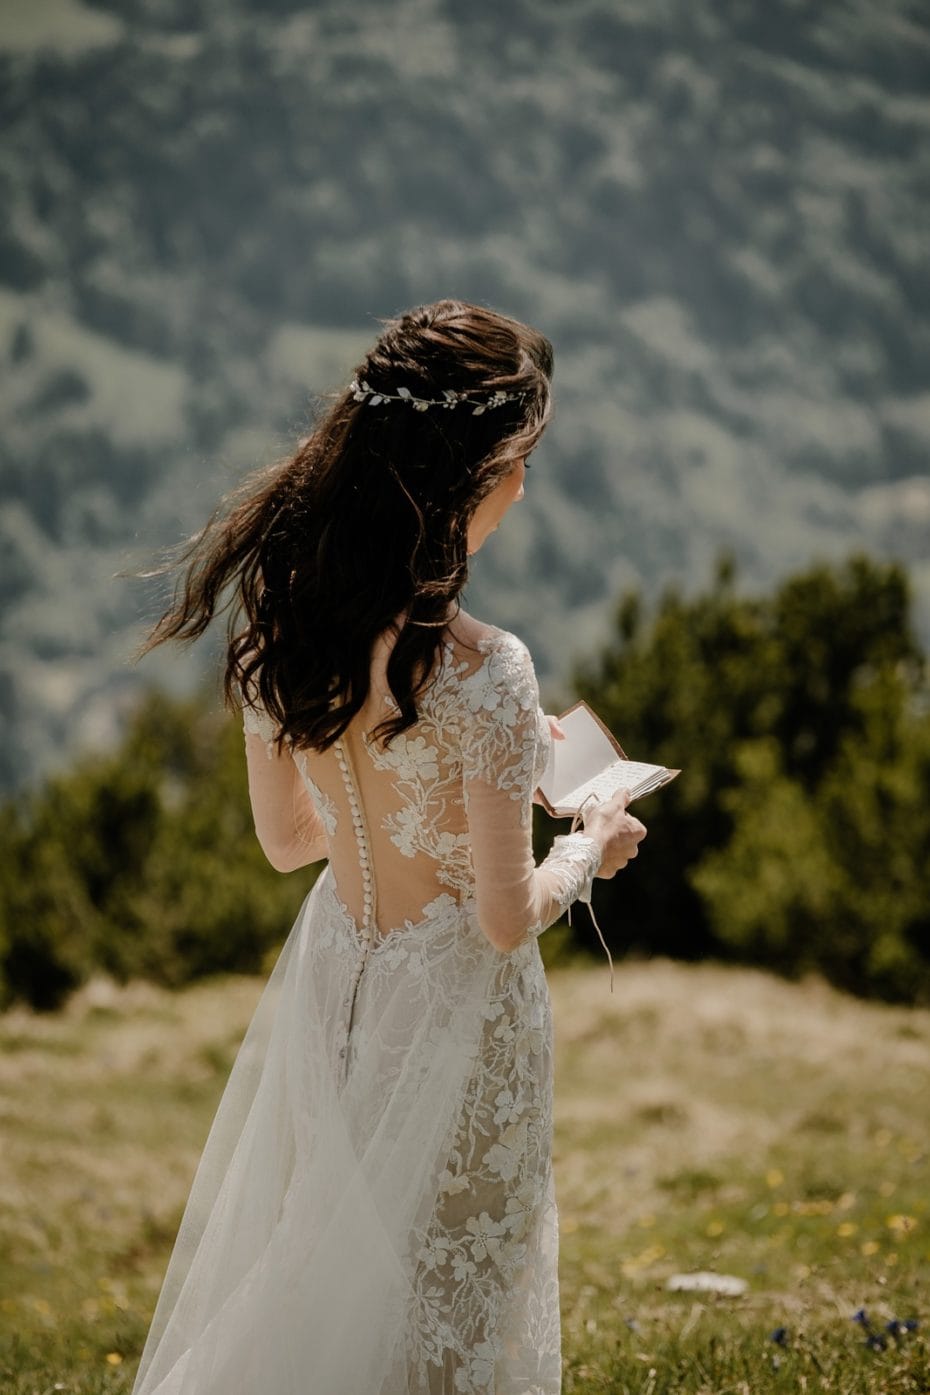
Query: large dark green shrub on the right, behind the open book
798, 834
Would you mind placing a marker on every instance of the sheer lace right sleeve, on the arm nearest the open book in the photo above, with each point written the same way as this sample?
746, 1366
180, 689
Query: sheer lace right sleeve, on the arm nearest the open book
501, 733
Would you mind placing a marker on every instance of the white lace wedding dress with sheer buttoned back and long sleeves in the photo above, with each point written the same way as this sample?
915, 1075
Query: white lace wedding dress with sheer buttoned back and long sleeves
374, 1210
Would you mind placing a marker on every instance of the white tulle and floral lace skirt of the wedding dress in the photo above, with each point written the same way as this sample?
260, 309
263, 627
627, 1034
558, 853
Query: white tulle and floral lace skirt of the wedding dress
374, 1213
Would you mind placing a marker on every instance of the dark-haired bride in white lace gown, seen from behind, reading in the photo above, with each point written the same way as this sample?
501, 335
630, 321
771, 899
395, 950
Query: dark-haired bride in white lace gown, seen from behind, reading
374, 1210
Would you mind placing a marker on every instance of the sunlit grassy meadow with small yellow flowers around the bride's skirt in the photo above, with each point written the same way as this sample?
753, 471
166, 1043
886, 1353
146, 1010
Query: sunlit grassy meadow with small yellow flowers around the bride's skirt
709, 1119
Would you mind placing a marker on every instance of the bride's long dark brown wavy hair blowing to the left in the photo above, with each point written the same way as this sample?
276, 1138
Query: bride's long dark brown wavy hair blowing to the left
365, 529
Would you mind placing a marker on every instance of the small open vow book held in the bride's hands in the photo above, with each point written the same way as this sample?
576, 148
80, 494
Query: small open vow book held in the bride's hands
590, 767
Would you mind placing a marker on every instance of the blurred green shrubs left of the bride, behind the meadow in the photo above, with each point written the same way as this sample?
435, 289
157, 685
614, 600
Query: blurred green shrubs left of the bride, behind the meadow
142, 864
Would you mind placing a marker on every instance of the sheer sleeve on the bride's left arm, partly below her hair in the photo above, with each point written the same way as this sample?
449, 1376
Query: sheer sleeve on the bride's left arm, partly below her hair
287, 822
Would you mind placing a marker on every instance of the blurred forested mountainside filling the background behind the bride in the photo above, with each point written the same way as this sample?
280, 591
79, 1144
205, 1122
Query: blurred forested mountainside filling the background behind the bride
715, 211
